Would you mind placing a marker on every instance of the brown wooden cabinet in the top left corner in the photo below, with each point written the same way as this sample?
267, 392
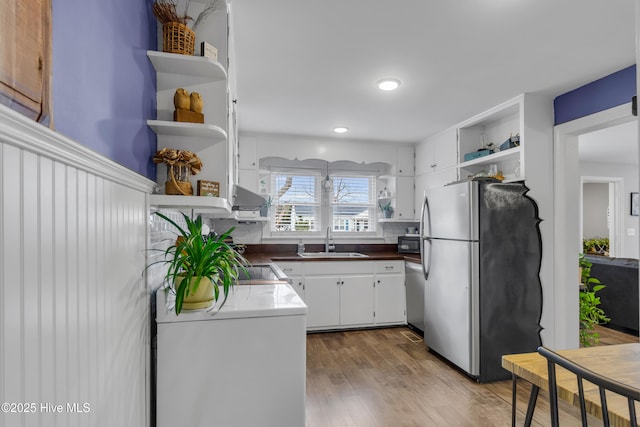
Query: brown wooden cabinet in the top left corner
25, 57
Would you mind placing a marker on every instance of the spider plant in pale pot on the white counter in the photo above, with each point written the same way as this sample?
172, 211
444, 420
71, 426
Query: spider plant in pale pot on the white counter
199, 266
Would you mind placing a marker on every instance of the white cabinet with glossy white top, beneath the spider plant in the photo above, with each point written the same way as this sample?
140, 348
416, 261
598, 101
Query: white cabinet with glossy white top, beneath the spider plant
261, 331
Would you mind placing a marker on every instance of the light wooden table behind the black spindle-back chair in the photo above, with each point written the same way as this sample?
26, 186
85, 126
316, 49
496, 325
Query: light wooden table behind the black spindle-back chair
620, 362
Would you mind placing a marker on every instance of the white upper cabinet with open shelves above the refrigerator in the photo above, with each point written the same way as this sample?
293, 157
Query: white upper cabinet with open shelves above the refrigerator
528, 116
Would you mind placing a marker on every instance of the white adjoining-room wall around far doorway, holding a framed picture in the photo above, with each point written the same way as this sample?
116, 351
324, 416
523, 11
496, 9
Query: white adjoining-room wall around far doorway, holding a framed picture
629, 176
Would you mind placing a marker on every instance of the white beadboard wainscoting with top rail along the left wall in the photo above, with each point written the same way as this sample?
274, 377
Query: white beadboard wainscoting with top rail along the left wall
74, 307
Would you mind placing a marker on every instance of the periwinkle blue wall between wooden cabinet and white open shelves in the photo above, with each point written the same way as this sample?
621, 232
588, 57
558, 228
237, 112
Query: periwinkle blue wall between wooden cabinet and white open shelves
103, 84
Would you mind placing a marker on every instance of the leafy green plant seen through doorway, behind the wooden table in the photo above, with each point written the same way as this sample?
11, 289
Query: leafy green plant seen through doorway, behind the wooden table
590, 313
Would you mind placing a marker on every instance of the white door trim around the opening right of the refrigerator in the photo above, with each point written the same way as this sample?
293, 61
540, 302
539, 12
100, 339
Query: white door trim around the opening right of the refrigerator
567, 209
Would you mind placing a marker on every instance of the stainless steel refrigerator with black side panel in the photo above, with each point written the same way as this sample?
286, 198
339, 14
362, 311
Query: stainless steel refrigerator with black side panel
481, 254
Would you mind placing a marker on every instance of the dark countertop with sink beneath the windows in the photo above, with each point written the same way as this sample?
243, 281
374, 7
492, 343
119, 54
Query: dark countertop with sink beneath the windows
287, 252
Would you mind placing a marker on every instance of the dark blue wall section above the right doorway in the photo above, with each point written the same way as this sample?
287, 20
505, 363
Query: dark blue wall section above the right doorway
602, 94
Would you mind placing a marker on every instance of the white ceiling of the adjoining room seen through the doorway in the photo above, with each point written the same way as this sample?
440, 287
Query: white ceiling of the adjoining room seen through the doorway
615, 144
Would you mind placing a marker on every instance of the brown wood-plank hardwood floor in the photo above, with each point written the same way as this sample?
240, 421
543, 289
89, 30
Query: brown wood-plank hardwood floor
387, 378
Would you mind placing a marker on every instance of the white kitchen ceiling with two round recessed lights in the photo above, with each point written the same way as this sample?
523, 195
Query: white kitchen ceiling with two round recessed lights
305, 66
